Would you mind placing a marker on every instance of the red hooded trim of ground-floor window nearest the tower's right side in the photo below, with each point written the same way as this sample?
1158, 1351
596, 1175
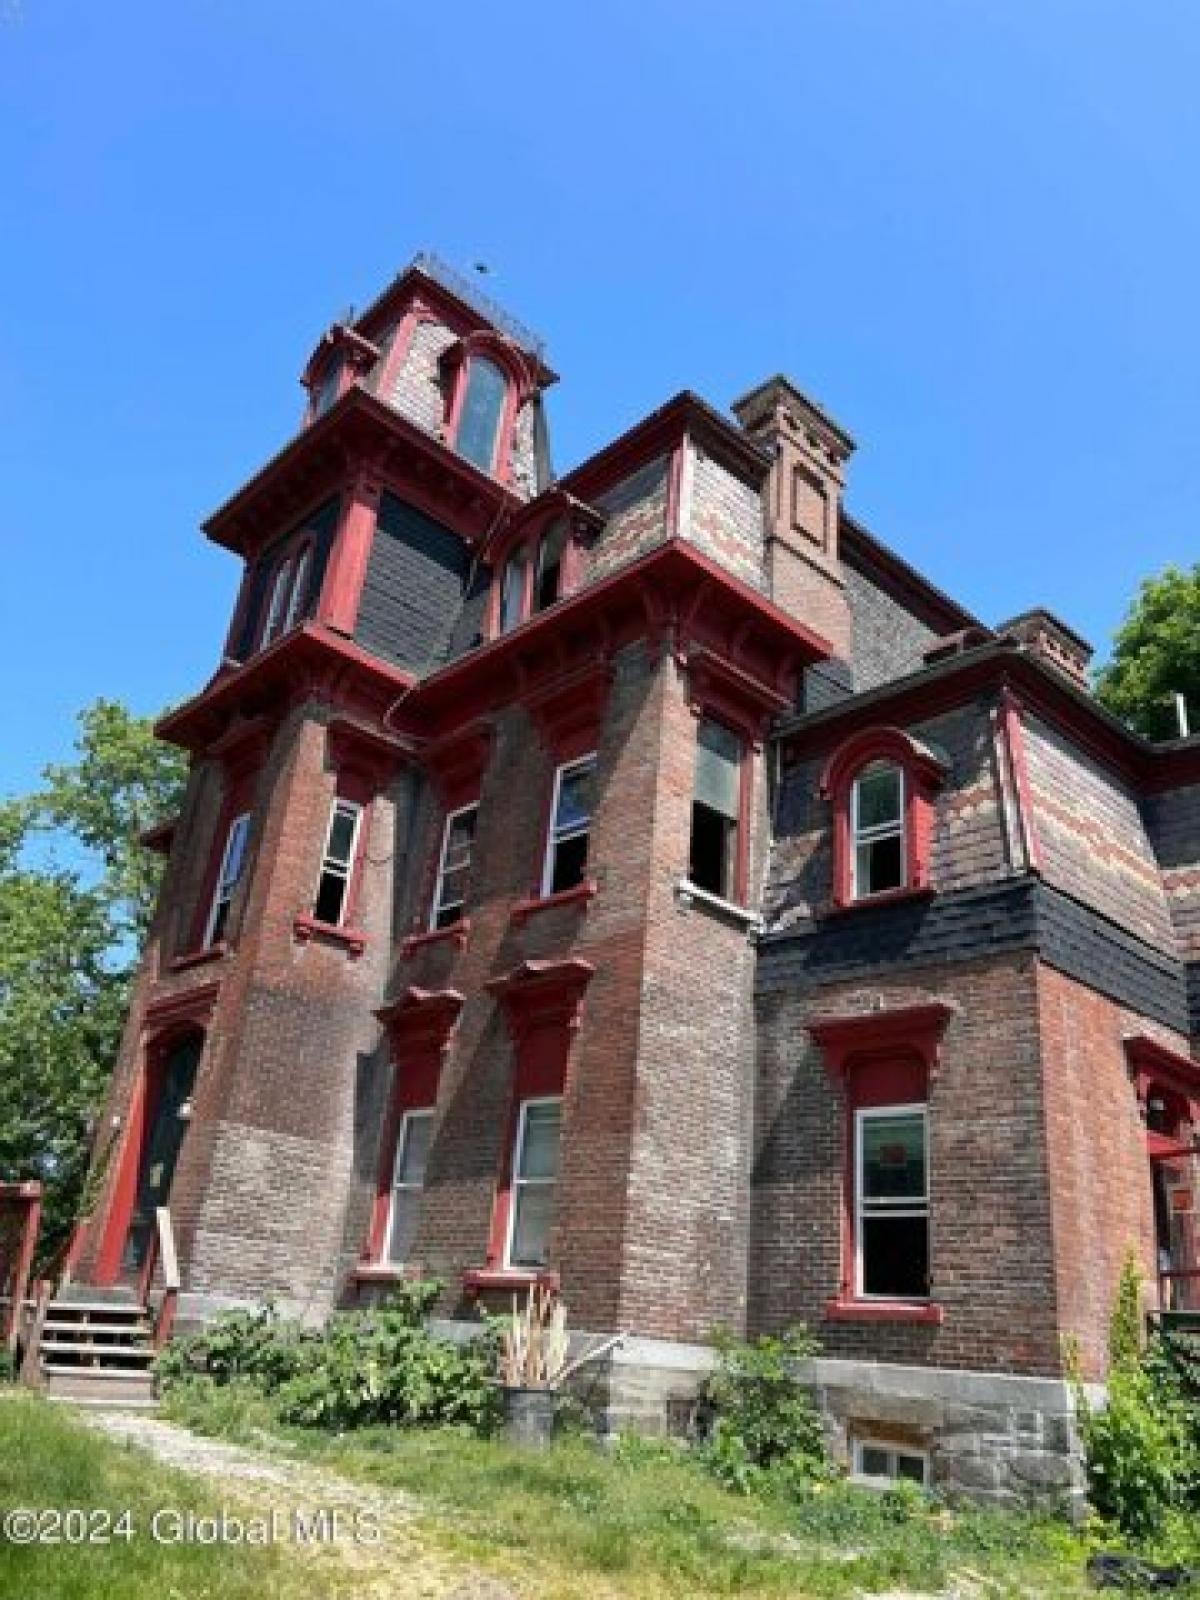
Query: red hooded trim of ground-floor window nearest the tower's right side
420, 1031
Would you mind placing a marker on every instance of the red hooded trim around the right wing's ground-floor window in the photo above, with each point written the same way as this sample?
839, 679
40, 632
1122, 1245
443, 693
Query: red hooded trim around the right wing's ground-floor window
879, 1058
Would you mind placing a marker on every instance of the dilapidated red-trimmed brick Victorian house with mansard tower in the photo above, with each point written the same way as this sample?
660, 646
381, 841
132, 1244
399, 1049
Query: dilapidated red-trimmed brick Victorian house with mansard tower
644, 879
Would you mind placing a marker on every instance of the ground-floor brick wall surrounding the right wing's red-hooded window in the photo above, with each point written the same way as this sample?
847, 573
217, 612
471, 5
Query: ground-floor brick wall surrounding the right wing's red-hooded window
991, 1223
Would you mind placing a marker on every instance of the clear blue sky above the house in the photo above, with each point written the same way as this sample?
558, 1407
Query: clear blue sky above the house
969, 226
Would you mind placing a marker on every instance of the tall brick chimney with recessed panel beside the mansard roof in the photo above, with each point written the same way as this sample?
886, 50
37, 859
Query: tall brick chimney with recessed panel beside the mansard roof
802, 505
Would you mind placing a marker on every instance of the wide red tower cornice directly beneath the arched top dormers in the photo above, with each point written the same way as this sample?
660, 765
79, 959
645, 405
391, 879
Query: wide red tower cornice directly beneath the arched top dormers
361, 433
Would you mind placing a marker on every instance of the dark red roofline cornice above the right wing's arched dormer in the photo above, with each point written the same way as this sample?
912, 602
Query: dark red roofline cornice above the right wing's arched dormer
990, 670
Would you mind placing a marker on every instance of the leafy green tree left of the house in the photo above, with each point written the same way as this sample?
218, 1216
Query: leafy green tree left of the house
71, 921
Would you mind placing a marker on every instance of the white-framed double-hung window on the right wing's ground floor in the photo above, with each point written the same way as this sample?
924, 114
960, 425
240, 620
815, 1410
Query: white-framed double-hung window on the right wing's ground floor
894, 1202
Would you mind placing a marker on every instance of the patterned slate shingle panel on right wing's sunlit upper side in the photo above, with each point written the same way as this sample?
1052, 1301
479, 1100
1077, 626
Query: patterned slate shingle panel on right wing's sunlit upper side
1094, 839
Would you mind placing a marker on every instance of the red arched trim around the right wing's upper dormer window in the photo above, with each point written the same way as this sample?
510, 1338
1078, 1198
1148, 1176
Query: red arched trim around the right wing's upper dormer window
922, 777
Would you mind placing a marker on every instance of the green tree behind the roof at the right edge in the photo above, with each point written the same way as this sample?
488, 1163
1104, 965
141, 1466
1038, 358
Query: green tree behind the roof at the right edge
1158, 657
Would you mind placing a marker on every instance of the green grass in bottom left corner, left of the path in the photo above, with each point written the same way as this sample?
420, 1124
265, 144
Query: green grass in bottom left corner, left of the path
50, 1462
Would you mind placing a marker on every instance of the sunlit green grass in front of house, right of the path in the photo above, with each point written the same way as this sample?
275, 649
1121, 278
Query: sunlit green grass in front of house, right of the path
647, 1521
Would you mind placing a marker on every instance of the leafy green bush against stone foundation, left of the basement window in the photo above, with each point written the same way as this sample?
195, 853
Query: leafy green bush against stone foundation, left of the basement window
764, 1423
